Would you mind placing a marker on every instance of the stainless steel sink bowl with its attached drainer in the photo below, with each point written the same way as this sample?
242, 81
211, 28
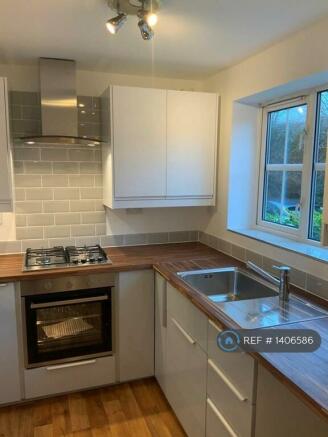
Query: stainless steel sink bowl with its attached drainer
248, 300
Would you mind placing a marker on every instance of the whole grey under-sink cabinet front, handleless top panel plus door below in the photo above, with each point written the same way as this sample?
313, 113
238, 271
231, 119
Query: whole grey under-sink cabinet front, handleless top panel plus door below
186, 362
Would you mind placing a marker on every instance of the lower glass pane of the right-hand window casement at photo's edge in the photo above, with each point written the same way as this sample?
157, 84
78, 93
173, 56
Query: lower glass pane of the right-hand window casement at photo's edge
317, 205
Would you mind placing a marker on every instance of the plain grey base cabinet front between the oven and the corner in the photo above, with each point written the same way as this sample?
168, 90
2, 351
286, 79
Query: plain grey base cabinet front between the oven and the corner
135, 324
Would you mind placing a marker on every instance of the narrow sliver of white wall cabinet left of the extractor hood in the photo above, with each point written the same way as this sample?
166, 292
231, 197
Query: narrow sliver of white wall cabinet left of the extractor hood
6, 198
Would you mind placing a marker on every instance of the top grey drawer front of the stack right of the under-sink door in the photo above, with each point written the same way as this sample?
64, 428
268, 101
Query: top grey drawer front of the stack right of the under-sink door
238, 367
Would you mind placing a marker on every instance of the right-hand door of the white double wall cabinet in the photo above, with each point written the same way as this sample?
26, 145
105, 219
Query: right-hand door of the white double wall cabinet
191, 143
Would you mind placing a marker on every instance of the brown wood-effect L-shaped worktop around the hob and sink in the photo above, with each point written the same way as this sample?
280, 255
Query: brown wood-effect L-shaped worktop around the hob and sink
305, 374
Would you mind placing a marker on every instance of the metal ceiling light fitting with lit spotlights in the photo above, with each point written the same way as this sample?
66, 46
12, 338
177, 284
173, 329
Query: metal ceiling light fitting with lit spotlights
145, 11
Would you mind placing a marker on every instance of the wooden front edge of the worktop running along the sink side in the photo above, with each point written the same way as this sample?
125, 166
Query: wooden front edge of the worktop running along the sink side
226, 323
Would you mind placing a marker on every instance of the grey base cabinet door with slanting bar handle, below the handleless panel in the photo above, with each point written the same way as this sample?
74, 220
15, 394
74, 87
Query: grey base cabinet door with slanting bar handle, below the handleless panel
186, 378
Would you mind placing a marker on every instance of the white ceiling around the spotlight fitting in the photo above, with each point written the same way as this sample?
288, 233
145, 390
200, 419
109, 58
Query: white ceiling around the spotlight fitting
193, 38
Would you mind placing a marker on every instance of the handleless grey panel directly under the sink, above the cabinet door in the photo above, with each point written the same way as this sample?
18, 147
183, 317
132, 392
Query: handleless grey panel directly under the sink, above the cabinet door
188, 316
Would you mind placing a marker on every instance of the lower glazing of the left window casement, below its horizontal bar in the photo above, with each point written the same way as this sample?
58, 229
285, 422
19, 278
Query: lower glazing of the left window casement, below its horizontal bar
282, 196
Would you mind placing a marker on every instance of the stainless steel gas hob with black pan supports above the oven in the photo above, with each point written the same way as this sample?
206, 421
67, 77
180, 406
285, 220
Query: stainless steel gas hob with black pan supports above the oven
60, 257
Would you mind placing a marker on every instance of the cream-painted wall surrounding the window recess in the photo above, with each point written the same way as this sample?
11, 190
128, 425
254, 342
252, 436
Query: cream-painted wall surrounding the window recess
302, 58
